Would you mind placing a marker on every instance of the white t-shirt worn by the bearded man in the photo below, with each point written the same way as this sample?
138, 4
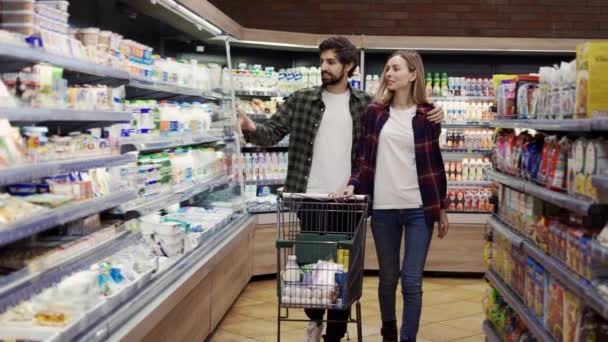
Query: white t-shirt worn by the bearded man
331, 157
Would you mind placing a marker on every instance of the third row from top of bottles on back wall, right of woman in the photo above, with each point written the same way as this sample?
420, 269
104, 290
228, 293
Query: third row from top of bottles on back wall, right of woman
478, 139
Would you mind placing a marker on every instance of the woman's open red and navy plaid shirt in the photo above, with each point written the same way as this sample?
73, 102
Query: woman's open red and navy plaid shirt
429, 162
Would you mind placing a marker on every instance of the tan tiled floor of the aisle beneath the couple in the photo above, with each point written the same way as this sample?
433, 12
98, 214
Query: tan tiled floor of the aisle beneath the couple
452, 311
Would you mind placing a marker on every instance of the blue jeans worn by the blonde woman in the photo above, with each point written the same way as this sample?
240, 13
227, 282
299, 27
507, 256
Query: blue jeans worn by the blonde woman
387, 228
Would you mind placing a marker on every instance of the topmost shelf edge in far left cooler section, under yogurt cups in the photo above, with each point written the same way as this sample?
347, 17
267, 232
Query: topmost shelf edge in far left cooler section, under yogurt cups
144, 89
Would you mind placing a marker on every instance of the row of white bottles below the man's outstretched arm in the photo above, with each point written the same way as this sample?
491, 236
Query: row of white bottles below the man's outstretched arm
261, 166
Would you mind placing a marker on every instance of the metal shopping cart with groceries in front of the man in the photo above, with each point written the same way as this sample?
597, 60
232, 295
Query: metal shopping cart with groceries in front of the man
320, 253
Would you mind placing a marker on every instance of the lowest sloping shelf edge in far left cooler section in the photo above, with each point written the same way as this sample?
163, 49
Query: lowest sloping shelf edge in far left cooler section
179, 194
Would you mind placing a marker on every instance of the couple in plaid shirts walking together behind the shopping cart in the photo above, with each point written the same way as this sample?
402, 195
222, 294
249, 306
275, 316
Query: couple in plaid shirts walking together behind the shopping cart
343, 142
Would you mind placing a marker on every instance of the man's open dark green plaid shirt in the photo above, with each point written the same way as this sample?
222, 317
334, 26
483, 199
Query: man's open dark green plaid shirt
300, 117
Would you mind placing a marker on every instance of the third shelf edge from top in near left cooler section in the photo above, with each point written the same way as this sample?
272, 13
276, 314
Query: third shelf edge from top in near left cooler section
23, 173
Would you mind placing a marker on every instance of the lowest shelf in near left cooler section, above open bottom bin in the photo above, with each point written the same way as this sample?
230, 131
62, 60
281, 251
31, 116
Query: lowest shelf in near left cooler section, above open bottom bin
50, 268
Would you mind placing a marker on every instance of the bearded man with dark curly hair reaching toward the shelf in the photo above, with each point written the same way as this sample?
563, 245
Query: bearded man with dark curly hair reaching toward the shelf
324, 124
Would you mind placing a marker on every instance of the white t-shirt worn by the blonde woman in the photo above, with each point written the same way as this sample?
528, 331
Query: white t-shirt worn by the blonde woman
396, 179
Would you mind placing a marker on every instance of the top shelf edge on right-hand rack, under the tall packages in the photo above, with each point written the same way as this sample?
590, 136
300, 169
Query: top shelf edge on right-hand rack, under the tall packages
563, 125
